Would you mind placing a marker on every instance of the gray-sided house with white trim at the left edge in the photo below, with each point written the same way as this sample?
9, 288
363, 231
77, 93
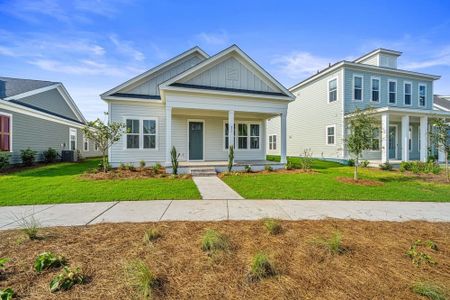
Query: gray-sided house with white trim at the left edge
40, 114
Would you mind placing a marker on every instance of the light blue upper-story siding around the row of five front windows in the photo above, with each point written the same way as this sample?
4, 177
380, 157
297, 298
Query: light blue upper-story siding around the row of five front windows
350, 104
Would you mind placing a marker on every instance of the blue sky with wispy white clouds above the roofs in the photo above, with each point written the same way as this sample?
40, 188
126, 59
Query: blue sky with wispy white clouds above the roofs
92, 46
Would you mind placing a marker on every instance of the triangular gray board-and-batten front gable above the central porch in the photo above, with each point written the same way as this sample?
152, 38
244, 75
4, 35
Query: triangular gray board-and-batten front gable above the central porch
231, 73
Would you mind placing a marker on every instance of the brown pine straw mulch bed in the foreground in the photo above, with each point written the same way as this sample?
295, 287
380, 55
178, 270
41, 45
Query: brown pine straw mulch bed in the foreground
374, 267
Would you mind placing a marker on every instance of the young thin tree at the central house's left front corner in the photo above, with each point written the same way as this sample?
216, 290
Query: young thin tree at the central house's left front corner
104, 135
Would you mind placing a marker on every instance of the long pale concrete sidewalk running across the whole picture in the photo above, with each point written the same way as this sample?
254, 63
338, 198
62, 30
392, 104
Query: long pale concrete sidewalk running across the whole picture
218, 210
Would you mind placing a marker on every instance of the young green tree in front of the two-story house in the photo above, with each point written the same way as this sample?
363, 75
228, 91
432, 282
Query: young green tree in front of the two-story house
361, 126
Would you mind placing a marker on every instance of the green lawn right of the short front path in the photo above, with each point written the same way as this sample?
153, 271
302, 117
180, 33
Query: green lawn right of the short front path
323, 185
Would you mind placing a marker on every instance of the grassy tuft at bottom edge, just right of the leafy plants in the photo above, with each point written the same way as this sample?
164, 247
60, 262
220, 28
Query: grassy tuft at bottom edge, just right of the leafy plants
141, 278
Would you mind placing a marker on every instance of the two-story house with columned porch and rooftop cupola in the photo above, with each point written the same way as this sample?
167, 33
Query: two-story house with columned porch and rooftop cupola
402, 102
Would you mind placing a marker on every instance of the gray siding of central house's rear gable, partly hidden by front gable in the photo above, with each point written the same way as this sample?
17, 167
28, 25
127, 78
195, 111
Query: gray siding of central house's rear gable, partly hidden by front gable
150, 85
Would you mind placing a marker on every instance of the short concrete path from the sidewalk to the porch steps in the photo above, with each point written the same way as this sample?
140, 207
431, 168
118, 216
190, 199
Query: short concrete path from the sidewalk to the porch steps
211, 187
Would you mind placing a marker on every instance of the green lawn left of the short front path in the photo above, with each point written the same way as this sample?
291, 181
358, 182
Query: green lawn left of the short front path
61, 183
